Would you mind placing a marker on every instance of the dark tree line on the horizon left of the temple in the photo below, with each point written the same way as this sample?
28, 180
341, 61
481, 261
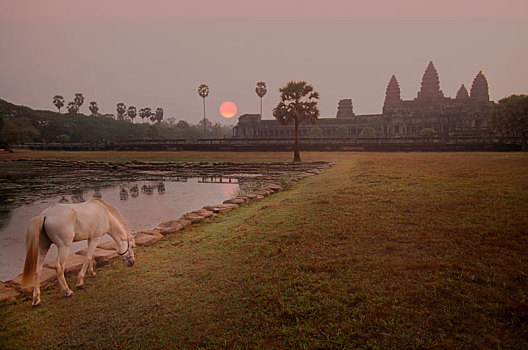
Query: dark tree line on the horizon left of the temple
19, 124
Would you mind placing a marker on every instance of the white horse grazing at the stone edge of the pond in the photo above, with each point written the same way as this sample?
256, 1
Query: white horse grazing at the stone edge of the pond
63, 224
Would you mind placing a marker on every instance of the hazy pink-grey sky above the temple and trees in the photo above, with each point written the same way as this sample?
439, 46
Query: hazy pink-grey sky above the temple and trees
156, 53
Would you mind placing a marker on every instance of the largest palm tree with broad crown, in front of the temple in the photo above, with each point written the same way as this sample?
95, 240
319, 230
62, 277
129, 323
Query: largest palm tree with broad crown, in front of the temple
298, 104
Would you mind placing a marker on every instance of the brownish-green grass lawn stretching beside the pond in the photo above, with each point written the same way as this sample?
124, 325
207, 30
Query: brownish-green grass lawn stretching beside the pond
384, 250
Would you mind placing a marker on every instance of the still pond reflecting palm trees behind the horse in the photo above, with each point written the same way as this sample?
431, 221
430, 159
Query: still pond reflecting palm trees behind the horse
144, 204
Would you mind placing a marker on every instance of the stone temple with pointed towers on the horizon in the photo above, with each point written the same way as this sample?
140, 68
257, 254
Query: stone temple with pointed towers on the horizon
431, 111
